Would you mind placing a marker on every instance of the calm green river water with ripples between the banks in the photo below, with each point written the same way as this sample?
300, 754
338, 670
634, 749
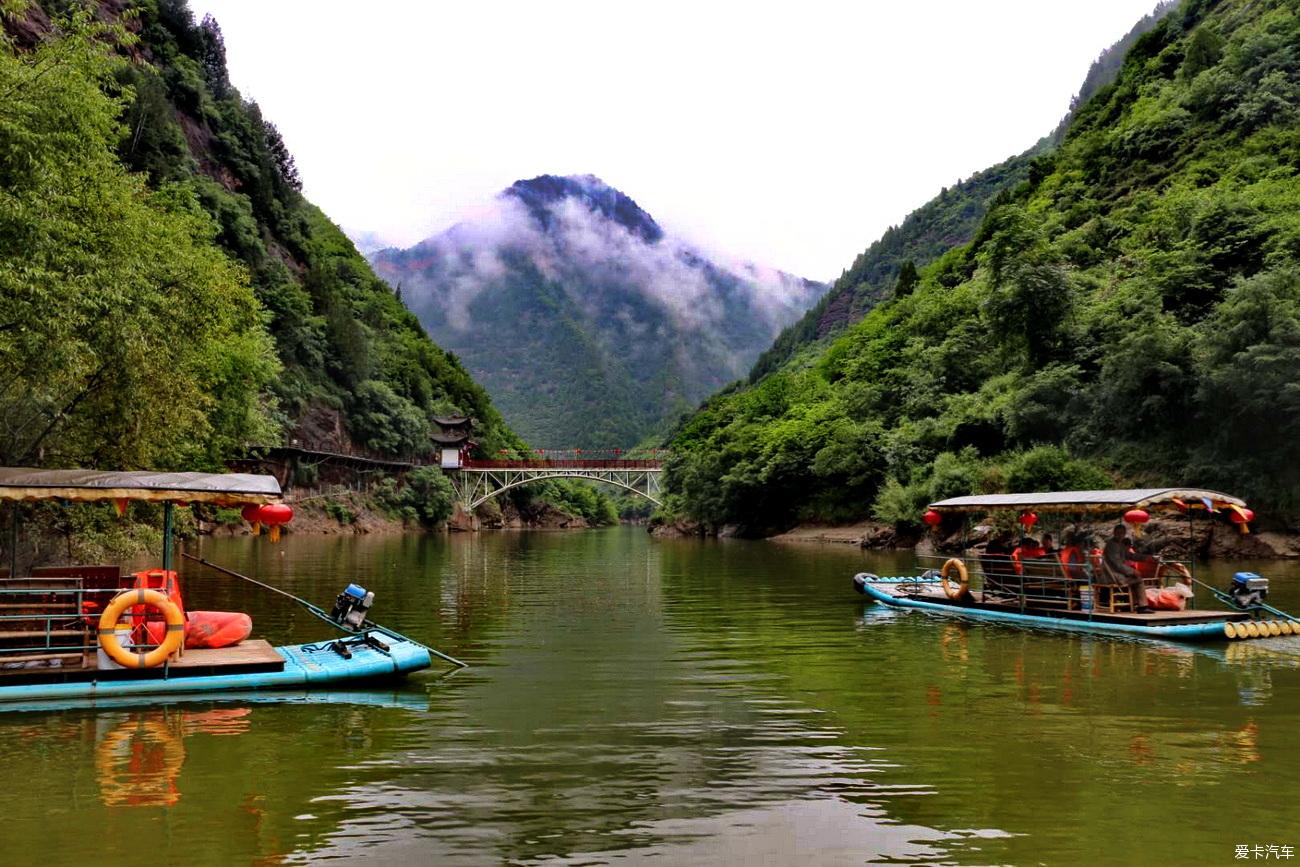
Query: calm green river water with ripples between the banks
687, 701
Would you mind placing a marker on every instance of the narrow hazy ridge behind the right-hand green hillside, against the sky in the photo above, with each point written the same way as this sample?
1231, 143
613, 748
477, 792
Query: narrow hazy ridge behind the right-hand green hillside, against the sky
946, 222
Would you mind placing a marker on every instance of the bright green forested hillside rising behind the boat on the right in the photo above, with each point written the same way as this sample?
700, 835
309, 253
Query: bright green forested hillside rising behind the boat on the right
1128, 314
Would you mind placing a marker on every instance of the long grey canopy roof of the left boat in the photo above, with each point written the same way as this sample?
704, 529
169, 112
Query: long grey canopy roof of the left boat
93, 485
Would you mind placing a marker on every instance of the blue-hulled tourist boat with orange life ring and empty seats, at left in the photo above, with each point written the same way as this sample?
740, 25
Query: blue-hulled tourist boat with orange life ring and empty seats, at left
94, 632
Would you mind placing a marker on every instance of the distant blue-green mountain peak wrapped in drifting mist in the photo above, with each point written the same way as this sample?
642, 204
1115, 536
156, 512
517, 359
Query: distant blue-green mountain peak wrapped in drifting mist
588, 323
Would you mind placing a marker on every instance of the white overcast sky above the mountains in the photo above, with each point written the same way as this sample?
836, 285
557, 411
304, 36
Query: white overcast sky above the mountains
792, 135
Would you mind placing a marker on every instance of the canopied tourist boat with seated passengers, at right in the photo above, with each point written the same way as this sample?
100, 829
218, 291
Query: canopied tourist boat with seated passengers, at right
1077, 591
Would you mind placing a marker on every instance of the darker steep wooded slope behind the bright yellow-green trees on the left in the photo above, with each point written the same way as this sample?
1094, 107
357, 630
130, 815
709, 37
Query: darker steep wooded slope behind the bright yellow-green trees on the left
345, 341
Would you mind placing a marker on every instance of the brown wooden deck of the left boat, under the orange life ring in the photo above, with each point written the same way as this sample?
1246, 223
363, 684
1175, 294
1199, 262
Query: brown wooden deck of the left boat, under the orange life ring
245, 658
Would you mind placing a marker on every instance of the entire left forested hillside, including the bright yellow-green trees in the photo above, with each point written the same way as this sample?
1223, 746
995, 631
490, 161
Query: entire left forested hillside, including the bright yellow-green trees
167, 294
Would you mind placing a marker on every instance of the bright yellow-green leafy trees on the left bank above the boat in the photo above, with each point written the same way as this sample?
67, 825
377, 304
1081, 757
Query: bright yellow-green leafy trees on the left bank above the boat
127, 337
